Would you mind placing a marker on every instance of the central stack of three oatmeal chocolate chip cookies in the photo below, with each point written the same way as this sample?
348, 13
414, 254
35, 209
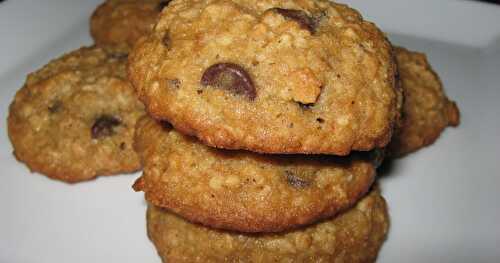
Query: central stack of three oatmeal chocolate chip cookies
266, 125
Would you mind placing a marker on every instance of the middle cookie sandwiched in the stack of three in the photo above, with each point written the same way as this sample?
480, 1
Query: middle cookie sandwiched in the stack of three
245, 191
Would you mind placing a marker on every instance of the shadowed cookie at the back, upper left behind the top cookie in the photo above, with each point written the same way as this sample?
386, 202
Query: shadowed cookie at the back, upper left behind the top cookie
118, 24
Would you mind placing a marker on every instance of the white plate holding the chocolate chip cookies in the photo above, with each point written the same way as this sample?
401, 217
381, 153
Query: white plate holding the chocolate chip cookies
442, 199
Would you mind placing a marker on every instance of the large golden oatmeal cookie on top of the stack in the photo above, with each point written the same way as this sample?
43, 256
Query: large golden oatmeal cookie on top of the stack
269, 76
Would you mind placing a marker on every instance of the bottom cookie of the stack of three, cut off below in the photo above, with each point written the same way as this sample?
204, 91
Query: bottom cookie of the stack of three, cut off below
354, 236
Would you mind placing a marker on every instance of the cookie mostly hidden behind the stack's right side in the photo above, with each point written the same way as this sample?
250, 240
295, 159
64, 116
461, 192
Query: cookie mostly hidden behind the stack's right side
427, 111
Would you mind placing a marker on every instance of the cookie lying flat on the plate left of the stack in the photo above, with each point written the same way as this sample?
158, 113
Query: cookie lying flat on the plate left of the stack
74, 119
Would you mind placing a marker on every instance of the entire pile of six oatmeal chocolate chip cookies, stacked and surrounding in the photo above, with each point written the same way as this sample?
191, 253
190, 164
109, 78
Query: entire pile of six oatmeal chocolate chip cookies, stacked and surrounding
261, 126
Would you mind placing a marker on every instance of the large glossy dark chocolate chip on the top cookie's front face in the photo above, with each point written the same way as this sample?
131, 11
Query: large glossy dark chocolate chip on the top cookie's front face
231, 77
